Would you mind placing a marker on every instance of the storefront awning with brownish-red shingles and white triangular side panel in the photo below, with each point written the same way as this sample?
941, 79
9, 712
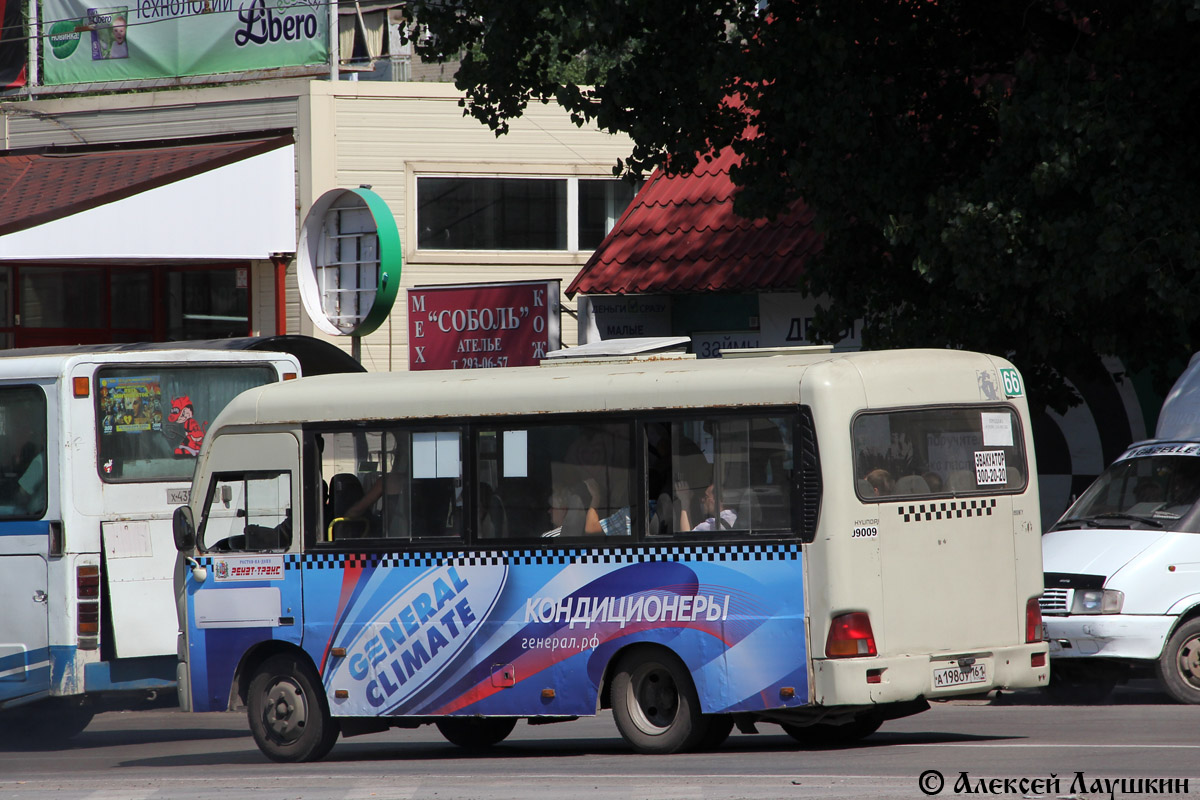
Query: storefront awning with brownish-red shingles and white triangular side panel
215, 199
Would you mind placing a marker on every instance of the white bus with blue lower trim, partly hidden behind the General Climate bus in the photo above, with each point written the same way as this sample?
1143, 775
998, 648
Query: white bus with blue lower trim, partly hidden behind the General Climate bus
98, 448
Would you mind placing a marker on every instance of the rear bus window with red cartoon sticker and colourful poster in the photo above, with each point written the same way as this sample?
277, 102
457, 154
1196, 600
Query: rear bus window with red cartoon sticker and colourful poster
152, 420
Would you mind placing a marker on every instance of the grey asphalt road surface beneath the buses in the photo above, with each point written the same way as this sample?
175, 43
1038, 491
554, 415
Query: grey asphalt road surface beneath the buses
164, 754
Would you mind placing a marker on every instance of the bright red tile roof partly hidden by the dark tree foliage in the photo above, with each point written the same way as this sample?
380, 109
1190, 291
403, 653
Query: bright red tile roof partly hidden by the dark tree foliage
681, 236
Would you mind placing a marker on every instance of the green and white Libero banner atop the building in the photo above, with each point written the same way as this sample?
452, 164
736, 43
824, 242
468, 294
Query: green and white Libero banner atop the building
170, 39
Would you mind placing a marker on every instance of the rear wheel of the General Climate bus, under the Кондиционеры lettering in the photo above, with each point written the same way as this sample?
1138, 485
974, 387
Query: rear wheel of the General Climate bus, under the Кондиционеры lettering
655, 703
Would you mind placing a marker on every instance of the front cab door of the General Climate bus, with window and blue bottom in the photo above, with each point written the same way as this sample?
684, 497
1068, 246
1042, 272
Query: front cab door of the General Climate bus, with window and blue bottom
247, 597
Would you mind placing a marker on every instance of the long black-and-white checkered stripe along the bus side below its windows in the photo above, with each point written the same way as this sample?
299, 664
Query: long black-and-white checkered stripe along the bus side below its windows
537, 557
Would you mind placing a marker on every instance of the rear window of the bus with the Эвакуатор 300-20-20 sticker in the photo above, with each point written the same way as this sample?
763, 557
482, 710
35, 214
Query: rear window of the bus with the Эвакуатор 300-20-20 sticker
939, 452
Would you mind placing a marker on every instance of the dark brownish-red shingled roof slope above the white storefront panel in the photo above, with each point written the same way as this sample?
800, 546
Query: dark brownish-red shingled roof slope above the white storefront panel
38, 187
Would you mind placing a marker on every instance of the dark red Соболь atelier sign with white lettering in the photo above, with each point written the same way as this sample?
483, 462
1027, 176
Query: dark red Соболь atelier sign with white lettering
477, 326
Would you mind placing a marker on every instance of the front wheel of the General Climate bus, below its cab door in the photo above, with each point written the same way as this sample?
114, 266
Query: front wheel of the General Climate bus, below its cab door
289, 712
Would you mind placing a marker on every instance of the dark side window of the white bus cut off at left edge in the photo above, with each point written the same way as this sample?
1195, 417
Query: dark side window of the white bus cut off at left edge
22, 453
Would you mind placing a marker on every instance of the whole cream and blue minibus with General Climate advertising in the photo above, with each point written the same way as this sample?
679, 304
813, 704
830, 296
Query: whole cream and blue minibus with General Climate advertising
820, 542
